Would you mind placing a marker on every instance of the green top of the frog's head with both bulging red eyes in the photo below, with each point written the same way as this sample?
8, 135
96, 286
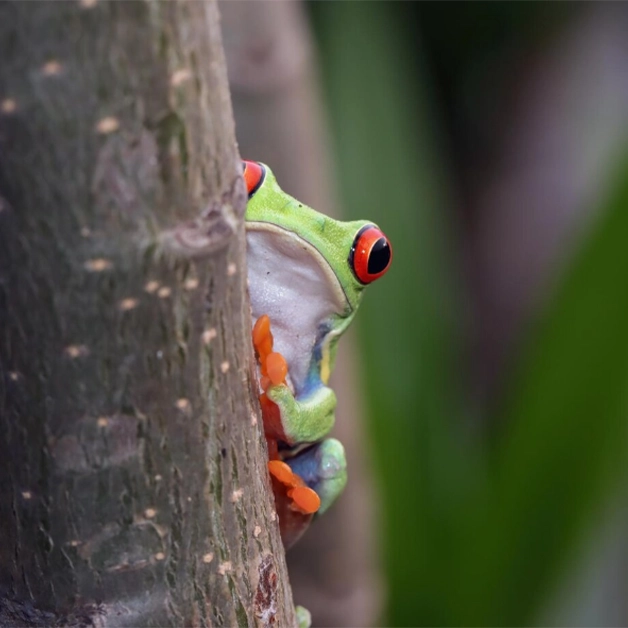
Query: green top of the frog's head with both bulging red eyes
353, 254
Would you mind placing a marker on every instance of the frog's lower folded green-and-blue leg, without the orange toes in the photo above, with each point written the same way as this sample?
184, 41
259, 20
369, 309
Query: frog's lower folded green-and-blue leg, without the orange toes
323, 467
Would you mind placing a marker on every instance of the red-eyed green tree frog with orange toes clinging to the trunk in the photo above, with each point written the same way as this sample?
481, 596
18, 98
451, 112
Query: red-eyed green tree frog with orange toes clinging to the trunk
306, 273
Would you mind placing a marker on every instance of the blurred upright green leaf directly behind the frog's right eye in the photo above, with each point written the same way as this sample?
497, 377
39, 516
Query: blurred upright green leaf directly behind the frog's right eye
391, 172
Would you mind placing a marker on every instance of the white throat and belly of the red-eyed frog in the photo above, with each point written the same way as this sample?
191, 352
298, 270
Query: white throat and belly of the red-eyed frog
291, 282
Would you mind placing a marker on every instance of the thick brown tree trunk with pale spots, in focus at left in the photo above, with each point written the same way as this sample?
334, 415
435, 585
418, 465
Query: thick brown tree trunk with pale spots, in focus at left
133, 484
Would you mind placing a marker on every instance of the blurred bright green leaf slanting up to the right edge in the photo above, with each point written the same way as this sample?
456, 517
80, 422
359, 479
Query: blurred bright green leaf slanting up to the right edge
566, 446
